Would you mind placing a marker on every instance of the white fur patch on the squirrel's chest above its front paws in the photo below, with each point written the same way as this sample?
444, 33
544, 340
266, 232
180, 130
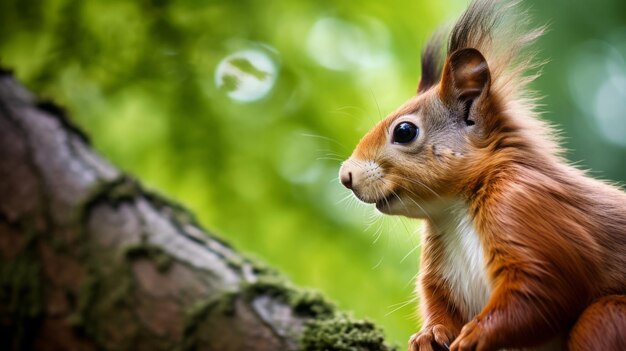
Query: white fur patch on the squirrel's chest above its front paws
463, 264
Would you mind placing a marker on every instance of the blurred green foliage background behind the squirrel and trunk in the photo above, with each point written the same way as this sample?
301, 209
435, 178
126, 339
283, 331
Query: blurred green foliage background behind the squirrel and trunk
140, 77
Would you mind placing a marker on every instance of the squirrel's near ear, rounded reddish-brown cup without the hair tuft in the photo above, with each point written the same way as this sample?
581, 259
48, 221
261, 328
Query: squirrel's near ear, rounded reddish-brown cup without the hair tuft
465, 75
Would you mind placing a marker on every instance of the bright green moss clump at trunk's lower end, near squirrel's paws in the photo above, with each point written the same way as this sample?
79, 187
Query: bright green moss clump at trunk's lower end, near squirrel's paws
342, 334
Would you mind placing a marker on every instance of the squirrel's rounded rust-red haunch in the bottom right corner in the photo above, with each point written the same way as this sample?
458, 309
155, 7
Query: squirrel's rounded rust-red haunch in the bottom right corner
602, 326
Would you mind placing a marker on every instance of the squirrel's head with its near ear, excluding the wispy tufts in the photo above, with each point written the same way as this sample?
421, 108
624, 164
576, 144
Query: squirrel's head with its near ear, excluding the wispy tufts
409, 162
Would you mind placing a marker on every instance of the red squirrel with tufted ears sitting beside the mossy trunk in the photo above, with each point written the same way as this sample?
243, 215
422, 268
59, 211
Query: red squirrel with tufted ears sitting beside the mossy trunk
521, 250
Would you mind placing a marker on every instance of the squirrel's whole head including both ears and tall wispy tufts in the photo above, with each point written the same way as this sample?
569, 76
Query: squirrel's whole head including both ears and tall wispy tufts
472, 118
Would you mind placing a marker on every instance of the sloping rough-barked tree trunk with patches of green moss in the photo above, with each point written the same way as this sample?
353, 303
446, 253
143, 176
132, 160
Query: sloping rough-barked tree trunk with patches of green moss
90, 260
